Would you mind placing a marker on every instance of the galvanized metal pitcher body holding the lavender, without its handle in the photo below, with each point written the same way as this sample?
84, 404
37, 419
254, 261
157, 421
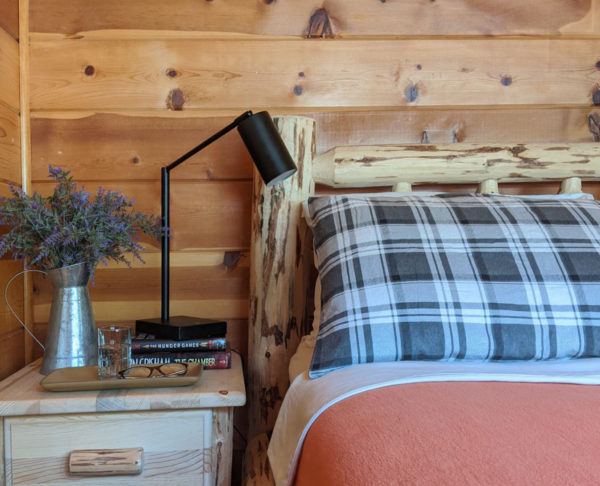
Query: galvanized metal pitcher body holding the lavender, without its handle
71, 339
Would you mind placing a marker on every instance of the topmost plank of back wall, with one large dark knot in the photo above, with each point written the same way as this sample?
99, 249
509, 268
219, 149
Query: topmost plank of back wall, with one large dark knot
345, 17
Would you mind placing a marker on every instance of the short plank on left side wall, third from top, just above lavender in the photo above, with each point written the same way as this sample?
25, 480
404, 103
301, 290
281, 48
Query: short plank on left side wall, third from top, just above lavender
10, 145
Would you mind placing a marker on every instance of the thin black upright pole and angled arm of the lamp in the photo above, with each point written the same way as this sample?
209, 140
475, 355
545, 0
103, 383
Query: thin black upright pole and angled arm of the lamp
165, 184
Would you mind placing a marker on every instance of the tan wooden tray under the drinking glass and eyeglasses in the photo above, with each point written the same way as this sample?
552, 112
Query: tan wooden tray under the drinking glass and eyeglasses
86, 378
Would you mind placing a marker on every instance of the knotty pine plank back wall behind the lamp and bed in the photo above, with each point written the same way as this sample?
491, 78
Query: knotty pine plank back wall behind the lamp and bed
119, 89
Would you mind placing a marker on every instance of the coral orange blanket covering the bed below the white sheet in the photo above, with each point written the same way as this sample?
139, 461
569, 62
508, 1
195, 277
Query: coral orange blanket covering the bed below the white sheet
463, 433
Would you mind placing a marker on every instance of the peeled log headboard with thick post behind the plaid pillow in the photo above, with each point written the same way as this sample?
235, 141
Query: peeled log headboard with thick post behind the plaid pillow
282, 271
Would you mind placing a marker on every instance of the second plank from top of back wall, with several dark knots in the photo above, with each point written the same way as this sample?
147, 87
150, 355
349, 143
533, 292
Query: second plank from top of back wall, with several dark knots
210, 74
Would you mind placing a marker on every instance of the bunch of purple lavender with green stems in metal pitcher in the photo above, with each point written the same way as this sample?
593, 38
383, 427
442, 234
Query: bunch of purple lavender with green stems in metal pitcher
70, 226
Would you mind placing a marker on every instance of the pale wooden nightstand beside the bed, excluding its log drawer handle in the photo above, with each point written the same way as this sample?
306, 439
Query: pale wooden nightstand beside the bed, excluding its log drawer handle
186, 432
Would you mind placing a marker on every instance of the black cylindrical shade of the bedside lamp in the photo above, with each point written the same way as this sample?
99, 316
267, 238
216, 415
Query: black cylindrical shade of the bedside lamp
266, 148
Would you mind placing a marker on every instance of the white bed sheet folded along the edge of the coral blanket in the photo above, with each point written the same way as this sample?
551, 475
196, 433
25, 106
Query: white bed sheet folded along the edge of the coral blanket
306, 399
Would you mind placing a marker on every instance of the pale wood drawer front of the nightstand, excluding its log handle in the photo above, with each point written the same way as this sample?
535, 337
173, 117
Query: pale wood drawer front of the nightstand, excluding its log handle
177, 447
